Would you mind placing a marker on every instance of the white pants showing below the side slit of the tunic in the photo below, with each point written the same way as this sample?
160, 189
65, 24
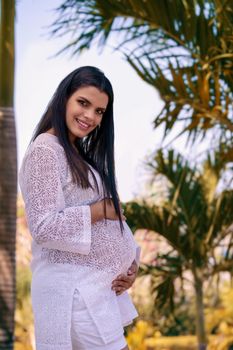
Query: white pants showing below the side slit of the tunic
84, 333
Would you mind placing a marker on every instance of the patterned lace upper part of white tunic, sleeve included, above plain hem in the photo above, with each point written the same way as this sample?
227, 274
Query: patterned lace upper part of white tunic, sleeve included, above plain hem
58, 214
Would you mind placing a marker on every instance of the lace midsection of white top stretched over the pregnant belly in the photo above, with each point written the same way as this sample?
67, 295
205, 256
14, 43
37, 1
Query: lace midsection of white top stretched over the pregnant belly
112, 251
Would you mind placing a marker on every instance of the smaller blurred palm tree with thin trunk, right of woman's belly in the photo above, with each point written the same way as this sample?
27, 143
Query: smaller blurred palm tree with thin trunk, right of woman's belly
195, 218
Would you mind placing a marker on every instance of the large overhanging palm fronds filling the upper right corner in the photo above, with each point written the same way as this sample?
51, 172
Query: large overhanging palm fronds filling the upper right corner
182, 48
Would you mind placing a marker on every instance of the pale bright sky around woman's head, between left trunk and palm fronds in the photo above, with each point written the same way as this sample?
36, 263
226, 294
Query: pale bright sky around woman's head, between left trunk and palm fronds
38, 74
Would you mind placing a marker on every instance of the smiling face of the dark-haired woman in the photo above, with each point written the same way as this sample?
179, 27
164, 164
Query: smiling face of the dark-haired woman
84, 111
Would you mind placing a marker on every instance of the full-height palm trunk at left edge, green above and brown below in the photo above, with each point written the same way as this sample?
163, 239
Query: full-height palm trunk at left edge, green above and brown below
8, 176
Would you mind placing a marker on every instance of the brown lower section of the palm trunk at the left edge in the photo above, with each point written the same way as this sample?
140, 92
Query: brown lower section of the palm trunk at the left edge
7, 226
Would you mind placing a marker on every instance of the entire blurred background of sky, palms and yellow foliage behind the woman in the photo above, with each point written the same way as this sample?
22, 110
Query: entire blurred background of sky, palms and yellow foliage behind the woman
170, 63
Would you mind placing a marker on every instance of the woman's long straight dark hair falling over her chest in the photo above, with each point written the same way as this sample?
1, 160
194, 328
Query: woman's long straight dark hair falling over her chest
97, 148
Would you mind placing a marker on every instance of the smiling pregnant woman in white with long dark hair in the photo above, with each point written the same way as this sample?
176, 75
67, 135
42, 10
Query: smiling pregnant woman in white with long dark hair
84, 255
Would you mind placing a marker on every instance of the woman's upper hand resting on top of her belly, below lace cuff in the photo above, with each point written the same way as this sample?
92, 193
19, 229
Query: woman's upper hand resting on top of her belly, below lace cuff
97, 211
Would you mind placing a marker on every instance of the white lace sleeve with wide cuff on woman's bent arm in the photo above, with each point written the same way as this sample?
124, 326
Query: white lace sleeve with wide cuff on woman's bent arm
52, 224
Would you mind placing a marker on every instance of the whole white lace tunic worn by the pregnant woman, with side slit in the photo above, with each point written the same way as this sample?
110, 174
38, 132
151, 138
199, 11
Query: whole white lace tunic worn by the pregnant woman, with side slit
68, 251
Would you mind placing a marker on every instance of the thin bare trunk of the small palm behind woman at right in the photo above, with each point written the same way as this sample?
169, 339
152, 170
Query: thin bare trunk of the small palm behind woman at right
200, 319
